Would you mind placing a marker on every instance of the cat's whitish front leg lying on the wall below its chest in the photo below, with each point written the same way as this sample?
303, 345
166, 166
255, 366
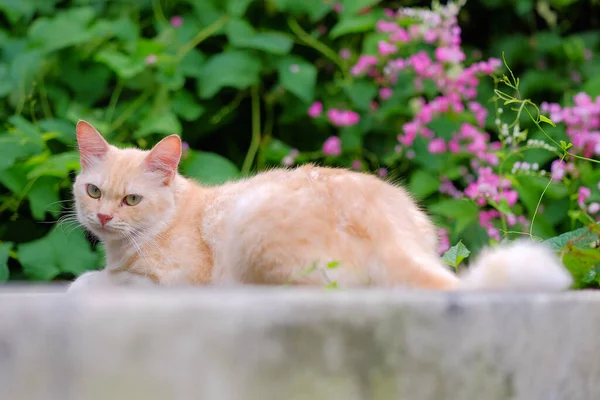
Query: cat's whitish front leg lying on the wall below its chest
105, 279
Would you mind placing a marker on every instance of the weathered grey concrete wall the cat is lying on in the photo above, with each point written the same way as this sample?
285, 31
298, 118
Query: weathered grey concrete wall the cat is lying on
288, 343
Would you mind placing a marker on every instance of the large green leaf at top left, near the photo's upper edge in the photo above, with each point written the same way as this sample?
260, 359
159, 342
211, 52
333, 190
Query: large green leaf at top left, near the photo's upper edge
66, 28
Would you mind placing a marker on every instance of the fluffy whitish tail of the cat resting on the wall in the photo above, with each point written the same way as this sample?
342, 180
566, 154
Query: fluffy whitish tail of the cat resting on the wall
521, 265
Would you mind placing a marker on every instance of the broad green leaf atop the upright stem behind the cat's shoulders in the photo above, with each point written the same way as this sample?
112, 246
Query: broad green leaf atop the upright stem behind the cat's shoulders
239, 69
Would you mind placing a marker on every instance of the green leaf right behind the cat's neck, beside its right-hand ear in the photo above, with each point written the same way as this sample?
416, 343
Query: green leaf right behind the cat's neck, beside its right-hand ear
209, 168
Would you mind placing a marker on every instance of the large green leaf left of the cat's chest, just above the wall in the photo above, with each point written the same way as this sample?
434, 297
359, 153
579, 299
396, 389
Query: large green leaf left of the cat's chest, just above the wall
61, 251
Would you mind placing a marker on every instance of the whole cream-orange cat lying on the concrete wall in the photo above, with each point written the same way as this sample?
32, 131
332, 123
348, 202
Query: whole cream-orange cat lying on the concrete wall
282, 226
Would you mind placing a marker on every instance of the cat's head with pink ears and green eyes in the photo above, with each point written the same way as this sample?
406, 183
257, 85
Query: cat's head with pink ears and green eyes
124, 193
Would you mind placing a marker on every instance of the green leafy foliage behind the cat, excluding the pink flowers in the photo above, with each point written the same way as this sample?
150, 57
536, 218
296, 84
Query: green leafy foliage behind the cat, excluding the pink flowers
125, 68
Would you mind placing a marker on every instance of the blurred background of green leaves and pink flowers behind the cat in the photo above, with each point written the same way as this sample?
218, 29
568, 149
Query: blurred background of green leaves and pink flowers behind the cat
401, 89
